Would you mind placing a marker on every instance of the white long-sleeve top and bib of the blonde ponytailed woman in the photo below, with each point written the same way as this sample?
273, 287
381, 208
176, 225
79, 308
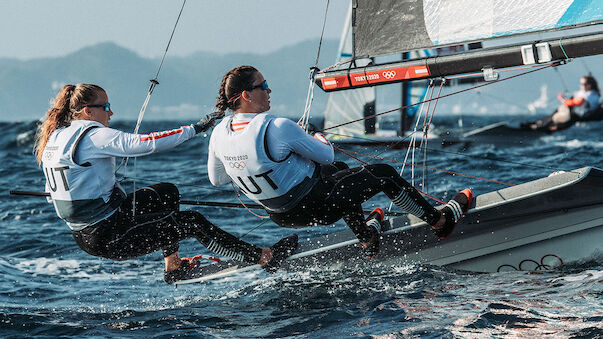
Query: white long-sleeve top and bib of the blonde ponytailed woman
79, 165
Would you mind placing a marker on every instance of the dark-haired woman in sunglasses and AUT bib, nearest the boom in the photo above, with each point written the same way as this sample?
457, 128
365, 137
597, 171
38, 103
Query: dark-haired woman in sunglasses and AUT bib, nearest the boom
293, 176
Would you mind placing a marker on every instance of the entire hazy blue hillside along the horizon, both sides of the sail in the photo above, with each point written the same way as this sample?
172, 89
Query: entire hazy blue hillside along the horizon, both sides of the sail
189, 85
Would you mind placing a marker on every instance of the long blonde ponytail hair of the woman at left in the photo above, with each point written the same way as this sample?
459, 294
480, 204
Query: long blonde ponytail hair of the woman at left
66, 108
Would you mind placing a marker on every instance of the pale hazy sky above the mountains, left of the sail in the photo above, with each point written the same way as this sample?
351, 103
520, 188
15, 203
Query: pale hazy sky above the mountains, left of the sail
35, 29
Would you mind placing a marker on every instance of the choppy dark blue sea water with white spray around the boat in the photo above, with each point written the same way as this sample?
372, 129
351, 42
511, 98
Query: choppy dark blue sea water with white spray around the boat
49, 287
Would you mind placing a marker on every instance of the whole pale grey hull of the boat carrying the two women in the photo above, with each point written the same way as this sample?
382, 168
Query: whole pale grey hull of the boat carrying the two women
538, 225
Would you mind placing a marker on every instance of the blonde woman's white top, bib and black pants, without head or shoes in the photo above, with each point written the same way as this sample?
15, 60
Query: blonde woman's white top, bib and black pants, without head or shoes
79, 164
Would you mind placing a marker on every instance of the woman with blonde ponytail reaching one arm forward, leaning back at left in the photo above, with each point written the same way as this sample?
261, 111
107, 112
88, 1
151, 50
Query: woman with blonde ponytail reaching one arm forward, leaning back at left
77, 150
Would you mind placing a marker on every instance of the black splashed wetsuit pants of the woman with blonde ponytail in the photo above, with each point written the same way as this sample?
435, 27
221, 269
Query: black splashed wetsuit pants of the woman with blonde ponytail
158, 225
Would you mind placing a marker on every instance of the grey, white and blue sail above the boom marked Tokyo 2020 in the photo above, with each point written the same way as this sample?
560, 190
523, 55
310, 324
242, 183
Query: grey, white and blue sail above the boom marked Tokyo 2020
393, 26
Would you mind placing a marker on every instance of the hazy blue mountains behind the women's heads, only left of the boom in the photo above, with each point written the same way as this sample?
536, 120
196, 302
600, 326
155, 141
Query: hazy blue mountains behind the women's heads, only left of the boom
188, 85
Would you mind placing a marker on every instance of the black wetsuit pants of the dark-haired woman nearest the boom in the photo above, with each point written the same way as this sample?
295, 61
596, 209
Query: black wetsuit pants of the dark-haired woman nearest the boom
341, 191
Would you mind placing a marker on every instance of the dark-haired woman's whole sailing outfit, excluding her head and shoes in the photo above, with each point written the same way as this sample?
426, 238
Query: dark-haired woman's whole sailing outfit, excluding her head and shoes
292, 174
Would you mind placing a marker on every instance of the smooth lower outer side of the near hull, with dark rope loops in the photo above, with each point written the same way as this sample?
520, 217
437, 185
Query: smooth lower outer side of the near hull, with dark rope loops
543, 244
